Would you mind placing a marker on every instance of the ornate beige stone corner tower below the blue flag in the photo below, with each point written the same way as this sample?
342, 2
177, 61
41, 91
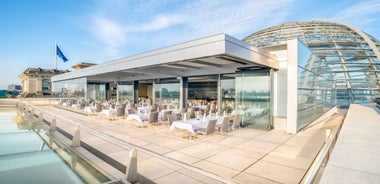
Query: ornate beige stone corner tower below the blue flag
36, 81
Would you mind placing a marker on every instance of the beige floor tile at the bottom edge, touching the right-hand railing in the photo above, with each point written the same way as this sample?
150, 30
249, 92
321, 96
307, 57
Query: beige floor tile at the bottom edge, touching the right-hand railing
276, 172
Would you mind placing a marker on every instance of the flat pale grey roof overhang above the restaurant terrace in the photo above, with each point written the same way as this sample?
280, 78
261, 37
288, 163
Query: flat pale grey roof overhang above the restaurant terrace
206, 56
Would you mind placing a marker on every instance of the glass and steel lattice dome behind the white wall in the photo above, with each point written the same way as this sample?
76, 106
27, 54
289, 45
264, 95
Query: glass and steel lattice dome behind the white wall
346, 60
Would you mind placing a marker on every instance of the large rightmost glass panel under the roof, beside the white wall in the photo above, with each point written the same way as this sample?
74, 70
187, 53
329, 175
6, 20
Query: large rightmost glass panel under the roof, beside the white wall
253, 100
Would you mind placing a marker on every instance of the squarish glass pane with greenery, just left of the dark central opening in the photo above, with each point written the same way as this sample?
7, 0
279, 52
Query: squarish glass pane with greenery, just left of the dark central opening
166, 92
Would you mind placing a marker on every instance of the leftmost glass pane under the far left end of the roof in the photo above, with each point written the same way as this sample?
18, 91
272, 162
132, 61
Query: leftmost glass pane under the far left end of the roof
70, 88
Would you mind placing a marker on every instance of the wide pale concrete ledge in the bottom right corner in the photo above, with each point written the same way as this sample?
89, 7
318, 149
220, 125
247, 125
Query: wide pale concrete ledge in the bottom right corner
356, 155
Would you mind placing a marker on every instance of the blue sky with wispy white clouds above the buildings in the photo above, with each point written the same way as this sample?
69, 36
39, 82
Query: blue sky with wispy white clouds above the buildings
97, 31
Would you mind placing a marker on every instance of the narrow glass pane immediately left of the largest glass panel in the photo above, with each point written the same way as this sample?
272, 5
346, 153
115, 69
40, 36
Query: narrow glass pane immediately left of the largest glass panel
227, 82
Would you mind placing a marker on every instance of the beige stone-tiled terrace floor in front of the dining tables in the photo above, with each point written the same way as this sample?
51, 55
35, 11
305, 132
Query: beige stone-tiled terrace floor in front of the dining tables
242, 156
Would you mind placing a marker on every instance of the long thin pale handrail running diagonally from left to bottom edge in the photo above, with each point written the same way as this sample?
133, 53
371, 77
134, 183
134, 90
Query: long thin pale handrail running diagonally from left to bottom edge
138, 148
